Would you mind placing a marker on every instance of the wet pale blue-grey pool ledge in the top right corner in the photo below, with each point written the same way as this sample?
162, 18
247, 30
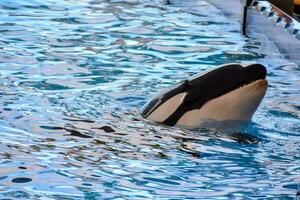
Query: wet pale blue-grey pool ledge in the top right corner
267, 23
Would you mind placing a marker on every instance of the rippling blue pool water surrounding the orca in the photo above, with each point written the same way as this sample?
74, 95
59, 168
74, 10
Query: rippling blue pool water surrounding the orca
73, 75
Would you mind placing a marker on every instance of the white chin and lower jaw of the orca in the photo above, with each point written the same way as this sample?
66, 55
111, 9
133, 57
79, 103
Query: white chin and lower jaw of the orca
239, 105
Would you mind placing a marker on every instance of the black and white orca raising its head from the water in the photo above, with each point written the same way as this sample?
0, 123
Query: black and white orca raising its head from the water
228, 92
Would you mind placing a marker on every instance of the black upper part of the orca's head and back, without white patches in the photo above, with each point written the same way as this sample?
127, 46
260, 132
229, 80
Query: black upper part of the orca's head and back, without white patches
204, 87
